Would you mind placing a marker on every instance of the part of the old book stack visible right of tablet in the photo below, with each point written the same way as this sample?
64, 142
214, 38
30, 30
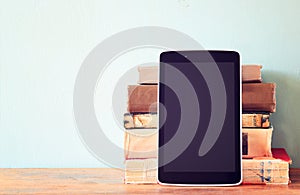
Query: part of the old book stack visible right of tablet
261, 163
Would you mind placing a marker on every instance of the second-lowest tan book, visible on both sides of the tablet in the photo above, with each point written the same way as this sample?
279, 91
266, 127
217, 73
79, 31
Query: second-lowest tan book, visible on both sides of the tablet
142, 143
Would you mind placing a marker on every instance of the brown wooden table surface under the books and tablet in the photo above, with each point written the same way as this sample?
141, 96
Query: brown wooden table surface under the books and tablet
110, 181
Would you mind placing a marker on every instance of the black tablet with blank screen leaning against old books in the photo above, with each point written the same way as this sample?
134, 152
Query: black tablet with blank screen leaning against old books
199, 118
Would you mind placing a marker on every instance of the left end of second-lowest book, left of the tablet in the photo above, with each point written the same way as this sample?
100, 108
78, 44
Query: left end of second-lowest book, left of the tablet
140, 143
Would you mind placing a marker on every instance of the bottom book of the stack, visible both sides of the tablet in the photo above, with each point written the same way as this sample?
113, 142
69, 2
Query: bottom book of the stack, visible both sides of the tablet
267, 170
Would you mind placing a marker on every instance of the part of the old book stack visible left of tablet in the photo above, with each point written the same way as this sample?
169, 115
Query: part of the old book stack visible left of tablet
140, 123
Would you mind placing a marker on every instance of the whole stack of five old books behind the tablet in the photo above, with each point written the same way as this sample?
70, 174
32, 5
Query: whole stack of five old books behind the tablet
261, 163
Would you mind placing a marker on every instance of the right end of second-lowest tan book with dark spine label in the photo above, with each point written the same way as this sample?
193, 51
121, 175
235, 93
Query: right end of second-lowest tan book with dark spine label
256, 142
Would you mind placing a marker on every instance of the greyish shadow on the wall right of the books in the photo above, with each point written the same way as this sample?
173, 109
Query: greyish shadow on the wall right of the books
286, 120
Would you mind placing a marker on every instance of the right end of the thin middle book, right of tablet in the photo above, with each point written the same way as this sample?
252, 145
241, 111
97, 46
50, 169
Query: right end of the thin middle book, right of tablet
256, 120
